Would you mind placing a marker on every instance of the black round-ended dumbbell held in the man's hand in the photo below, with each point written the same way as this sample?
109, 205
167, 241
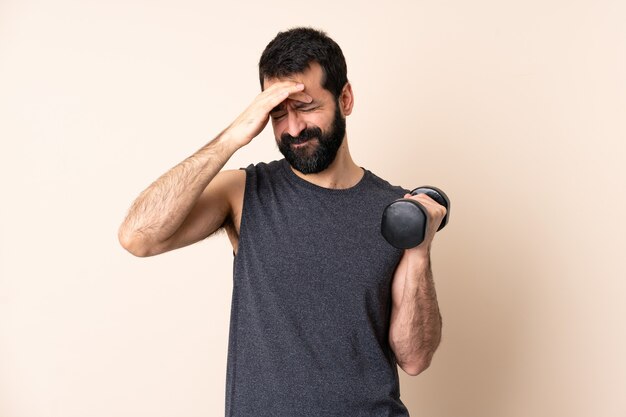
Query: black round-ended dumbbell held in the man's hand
404, 220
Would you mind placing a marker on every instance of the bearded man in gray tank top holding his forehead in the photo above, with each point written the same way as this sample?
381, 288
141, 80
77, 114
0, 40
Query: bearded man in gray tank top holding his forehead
323, 307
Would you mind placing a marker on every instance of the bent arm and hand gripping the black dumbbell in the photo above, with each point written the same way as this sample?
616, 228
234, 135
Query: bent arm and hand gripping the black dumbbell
415, 325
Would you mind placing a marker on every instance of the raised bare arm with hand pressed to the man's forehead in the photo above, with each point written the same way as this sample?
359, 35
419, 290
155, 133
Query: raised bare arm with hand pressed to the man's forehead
185, 204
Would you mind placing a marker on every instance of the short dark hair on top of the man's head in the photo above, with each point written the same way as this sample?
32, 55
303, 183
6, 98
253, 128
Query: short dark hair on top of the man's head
293, 51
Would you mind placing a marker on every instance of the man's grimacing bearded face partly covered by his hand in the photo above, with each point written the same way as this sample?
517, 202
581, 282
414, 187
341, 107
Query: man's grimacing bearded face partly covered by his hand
308, 134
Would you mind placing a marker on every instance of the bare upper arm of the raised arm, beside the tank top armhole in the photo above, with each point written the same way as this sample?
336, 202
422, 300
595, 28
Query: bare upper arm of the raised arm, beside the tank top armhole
216, 206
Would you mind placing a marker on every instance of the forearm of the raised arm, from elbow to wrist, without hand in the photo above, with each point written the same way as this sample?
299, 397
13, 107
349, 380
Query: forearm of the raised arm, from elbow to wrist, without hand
162, 207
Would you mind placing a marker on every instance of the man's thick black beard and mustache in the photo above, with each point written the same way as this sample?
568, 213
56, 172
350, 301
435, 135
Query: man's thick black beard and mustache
311, 162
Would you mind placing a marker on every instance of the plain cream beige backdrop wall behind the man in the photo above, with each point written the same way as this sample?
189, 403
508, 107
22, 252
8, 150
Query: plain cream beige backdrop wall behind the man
515, 108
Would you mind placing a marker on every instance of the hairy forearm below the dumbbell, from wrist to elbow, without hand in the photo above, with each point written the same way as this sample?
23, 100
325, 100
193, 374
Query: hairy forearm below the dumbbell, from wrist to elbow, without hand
415, 328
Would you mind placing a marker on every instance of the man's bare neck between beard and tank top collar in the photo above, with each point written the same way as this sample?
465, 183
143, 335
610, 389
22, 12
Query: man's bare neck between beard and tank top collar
341, 174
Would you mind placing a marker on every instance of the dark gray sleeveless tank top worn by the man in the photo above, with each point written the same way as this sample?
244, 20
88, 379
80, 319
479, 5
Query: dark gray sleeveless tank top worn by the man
311, 300
